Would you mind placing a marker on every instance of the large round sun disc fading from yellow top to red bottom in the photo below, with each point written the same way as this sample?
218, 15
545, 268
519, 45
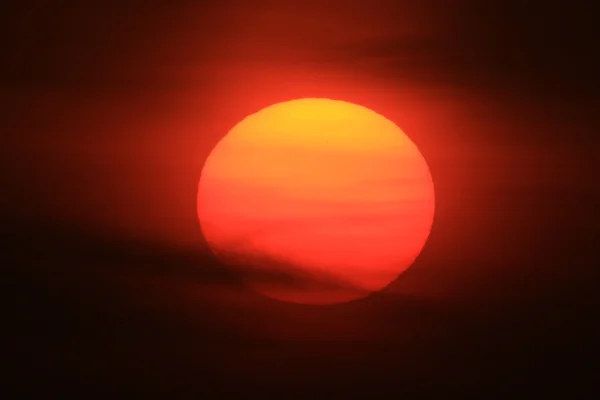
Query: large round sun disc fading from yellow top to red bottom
316, 201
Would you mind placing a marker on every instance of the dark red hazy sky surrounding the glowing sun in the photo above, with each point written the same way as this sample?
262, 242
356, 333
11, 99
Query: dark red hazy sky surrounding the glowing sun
110, 110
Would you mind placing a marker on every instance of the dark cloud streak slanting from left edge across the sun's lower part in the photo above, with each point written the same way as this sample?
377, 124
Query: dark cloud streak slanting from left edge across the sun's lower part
67, 247
